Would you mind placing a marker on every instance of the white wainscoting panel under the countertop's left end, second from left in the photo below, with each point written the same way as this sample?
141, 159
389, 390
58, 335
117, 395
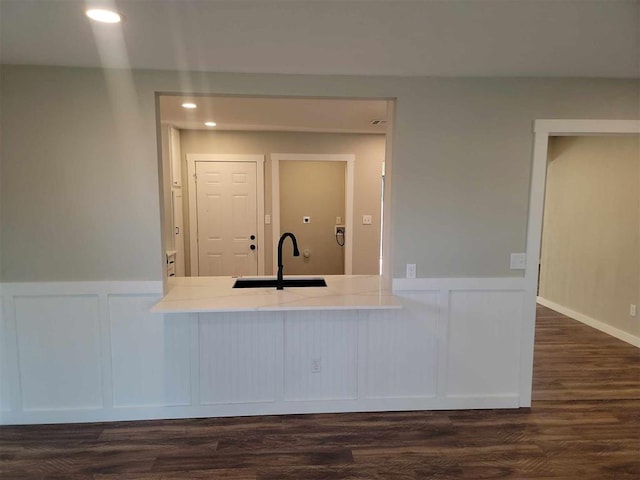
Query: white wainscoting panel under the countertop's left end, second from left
149, 354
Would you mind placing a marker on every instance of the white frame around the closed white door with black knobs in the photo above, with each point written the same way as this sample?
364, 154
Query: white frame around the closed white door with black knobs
192, 158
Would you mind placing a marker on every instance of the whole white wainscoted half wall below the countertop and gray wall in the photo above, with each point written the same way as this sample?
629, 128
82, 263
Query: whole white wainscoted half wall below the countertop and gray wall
92, 351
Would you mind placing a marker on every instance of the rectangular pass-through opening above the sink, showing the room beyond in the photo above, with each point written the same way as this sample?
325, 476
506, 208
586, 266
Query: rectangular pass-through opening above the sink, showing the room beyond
204, 154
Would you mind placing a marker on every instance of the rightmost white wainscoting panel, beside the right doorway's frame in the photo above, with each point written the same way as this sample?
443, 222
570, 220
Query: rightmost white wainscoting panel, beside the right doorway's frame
484, 343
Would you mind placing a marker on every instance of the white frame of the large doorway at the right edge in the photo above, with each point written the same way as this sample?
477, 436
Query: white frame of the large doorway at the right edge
543, 129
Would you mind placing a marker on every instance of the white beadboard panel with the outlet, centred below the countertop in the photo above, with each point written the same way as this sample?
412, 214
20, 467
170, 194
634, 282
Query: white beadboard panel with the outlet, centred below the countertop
320, 355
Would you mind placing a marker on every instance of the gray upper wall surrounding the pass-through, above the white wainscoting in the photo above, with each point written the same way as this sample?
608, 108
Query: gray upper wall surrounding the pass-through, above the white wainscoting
79, 179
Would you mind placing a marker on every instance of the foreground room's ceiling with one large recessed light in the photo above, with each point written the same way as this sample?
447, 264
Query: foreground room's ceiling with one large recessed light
554, 38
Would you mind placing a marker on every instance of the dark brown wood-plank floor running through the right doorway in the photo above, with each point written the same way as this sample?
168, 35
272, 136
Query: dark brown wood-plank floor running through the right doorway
584, 424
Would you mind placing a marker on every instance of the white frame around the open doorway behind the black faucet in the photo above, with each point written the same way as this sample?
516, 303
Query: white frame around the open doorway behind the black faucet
349, 159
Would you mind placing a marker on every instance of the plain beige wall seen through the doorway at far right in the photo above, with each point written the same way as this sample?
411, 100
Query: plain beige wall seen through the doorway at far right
590, 258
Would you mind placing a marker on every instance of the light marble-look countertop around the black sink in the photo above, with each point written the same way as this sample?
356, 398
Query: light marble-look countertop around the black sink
216, 294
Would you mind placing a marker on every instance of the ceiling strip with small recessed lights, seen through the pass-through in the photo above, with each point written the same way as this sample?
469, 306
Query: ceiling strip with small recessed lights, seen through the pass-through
275, 114
